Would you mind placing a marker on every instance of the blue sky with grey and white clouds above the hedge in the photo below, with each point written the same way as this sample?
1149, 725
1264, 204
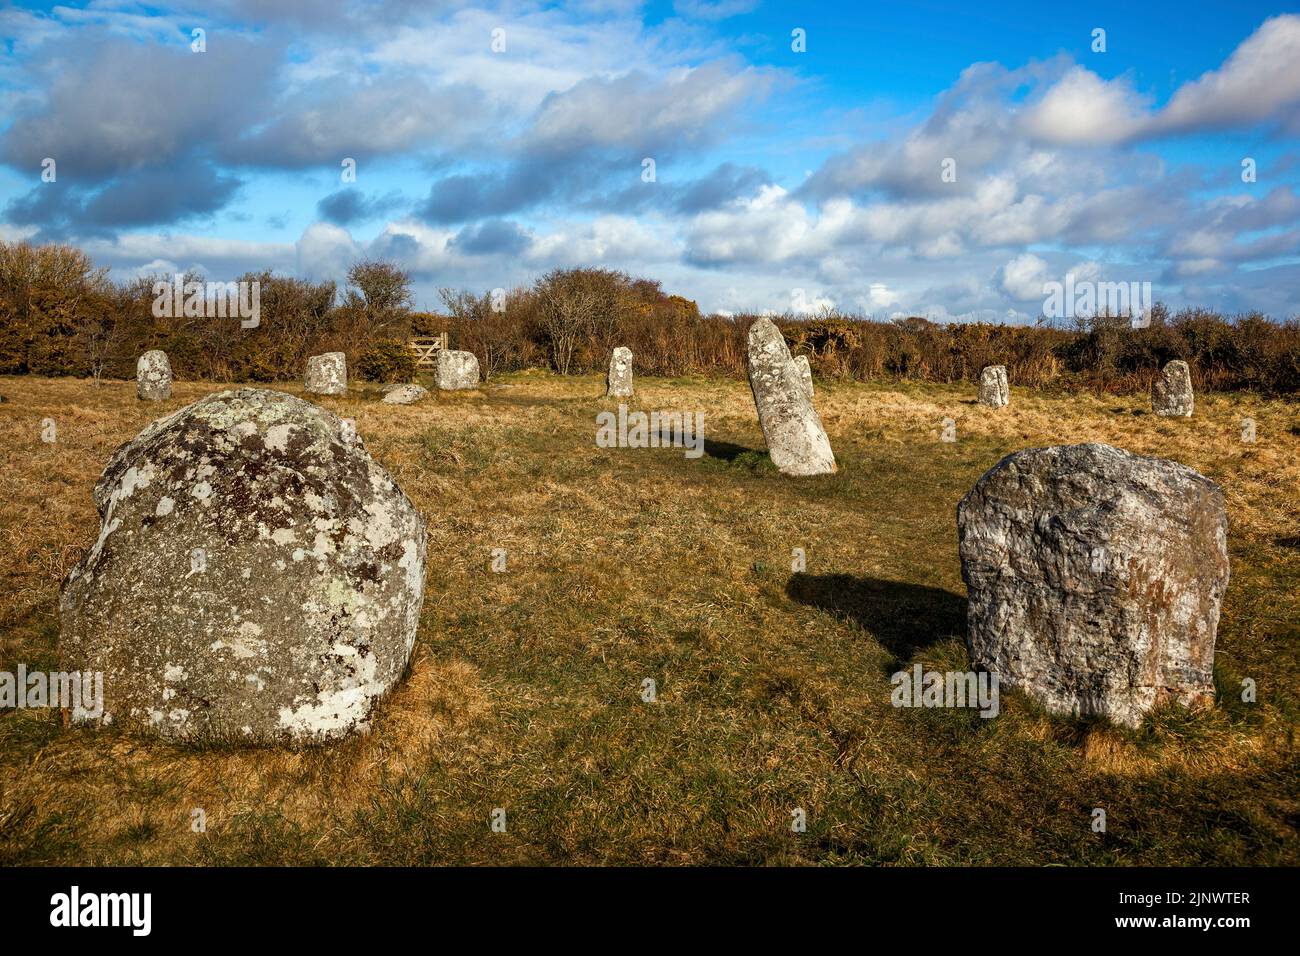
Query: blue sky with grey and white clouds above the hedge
783, 180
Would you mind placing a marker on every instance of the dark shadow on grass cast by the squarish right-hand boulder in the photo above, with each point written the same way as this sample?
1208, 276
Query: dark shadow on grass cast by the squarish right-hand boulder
905, 618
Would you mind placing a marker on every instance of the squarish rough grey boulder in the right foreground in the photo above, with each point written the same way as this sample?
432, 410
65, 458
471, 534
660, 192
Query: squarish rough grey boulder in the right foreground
1095, 579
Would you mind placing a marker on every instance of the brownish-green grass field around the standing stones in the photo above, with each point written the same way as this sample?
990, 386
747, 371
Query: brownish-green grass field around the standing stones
526, 689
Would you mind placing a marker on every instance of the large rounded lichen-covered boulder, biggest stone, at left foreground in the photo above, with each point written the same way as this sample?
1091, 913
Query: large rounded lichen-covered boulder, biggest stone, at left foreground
258, 577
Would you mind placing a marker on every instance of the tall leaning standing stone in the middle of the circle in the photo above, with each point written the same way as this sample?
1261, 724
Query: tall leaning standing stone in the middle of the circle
796, 440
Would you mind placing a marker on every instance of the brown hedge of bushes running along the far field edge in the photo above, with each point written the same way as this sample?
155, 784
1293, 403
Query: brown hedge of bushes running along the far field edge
60, 315
